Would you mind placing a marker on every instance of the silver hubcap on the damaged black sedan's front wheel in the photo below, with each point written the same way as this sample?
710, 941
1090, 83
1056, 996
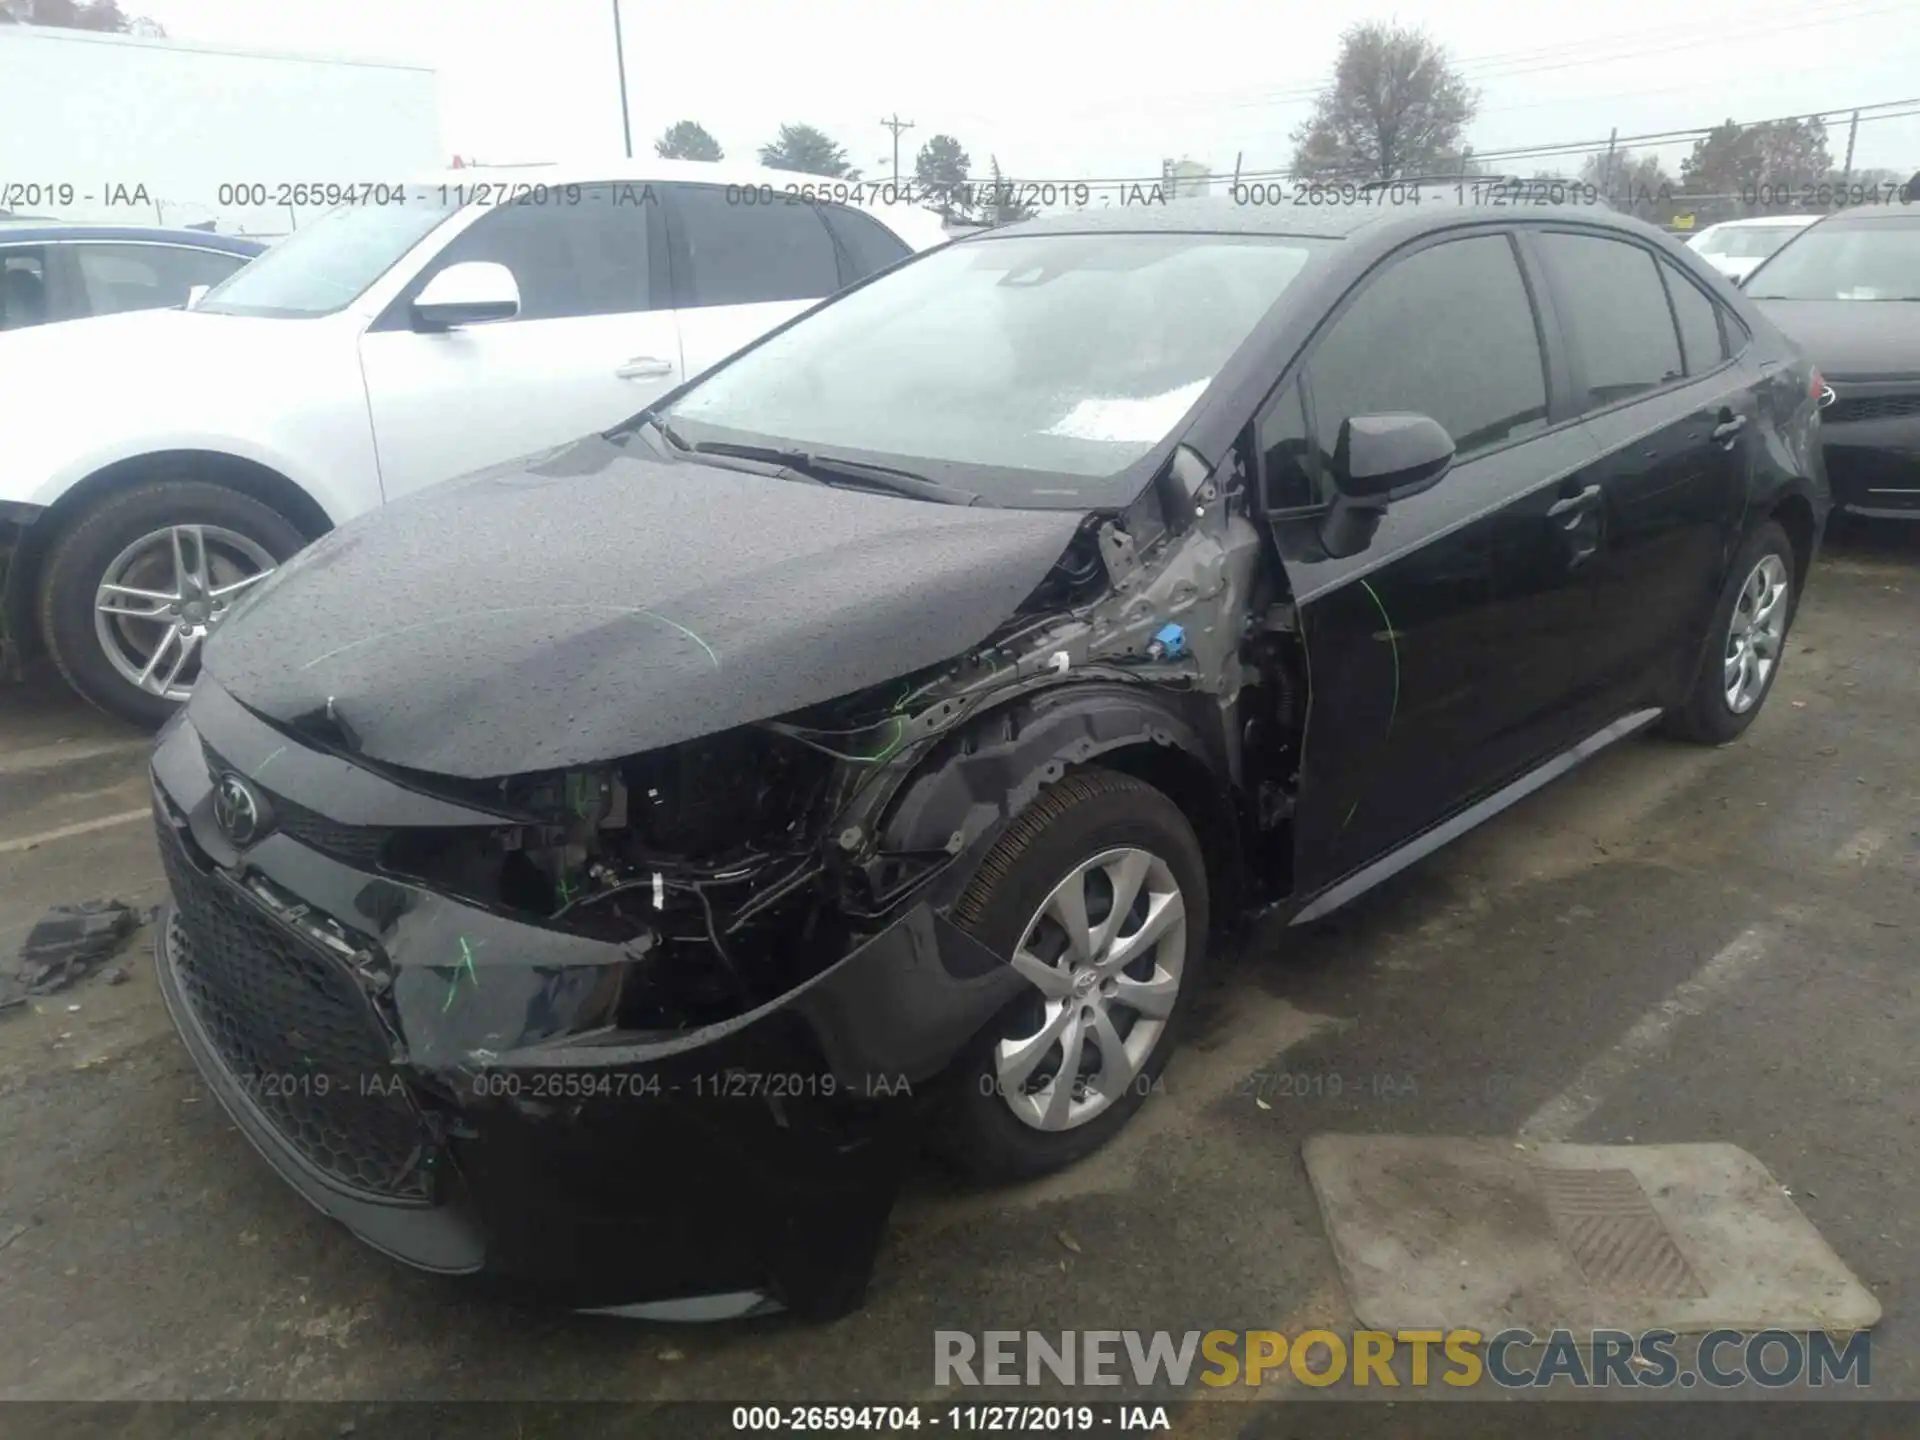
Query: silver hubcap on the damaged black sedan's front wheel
1105, 955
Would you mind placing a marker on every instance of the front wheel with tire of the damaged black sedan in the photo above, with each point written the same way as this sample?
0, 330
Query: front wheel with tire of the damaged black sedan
1099, 894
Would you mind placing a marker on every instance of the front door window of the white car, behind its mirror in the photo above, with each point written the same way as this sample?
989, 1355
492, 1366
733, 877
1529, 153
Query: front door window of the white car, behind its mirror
569, 260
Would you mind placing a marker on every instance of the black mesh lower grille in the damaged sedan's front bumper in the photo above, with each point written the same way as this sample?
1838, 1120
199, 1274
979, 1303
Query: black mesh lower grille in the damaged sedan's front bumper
295, 1032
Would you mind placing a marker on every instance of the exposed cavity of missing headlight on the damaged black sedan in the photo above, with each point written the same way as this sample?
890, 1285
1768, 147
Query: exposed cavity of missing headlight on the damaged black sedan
715, 863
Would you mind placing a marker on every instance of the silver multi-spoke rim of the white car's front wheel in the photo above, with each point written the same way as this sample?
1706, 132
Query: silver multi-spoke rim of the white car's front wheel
164, 594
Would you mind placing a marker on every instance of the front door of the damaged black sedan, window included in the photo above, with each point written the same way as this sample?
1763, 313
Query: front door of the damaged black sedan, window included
1424, 673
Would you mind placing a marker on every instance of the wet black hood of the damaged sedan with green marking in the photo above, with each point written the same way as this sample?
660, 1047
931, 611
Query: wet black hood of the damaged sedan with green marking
592, 604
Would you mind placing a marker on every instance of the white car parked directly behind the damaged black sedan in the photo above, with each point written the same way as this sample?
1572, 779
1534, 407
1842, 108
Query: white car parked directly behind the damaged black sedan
156, 466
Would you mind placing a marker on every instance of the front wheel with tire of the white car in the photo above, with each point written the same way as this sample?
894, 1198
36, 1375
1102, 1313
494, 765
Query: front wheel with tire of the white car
132, 590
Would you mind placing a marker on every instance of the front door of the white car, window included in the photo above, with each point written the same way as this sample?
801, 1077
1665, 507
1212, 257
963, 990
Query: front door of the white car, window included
588, 348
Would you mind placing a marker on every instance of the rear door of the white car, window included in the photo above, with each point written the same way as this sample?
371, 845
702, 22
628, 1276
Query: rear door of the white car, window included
744, 260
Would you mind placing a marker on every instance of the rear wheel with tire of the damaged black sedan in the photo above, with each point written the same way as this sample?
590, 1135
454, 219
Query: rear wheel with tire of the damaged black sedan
1748, 640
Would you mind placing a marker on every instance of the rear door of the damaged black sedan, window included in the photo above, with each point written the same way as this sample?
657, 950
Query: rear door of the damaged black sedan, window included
1675, 418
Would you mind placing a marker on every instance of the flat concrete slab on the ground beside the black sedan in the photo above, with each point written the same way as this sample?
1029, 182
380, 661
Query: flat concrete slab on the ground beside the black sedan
1497, 1236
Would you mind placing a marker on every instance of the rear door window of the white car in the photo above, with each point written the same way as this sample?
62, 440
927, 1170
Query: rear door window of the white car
742, 254
